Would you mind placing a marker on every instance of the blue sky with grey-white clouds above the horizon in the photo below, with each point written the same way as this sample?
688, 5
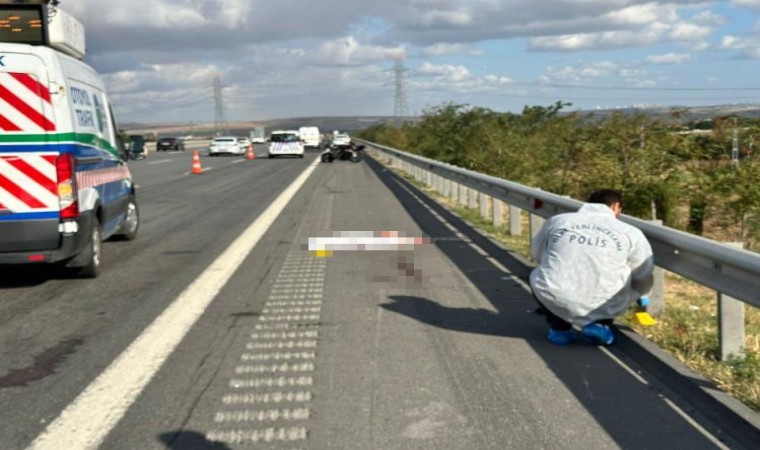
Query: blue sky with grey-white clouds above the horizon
300, 58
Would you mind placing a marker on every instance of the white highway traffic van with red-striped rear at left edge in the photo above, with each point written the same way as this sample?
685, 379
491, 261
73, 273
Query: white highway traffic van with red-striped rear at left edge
64, 182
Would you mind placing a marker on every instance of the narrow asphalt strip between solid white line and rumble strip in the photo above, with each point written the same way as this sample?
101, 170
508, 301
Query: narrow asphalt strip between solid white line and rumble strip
181, 404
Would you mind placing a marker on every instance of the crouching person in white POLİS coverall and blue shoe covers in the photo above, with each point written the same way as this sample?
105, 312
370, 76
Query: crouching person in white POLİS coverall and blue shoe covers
592, 266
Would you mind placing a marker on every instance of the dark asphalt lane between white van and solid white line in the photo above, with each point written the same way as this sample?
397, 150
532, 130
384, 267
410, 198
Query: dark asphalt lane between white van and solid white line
59, 333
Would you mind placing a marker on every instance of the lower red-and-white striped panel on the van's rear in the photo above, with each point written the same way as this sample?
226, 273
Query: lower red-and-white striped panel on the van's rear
28, 182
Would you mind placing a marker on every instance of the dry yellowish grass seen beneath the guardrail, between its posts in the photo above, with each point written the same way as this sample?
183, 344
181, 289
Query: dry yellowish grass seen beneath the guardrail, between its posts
687, 328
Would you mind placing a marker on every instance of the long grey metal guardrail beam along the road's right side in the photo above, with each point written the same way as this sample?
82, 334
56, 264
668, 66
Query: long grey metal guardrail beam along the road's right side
728, 270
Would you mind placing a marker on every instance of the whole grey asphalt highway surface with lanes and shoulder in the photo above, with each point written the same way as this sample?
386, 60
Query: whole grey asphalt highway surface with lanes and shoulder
216, 329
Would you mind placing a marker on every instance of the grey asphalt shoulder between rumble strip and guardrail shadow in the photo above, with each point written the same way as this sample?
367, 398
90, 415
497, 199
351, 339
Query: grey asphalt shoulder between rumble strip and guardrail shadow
399, 373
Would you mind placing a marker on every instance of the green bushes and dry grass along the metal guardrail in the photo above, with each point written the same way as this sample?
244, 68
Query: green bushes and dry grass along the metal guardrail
669, 170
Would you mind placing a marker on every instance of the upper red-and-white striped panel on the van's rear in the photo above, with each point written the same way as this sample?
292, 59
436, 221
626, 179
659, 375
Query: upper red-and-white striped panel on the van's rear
25, 104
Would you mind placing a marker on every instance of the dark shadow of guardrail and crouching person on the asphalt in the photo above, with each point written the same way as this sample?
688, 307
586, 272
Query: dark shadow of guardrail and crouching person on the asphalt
634, 414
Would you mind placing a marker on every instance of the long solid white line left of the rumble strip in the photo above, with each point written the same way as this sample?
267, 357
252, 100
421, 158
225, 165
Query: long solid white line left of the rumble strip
91, 416
